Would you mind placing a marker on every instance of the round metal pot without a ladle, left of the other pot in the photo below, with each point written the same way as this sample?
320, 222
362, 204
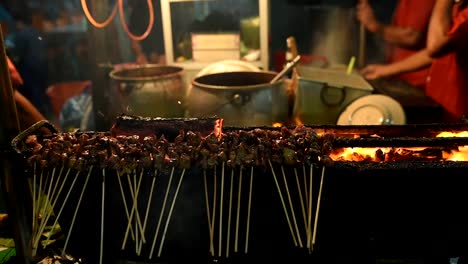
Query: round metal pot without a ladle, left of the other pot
152, 90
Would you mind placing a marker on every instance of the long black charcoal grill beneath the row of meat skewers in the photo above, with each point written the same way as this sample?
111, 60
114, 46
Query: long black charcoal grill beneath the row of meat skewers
368, 209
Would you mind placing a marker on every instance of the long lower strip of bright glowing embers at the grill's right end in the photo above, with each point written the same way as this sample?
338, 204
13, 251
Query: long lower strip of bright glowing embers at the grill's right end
400, 154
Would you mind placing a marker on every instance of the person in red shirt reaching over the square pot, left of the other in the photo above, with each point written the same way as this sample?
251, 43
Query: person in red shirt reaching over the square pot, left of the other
405, 37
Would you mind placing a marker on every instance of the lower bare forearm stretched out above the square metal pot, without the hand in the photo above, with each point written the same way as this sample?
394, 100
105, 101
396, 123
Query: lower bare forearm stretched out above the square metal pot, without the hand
415, 62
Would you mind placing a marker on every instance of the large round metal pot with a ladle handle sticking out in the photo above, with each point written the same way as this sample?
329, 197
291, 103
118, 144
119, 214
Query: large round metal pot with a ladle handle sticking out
240, 98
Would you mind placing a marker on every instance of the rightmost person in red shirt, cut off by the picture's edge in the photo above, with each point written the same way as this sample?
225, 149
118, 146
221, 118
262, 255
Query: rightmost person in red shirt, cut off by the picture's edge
447, 44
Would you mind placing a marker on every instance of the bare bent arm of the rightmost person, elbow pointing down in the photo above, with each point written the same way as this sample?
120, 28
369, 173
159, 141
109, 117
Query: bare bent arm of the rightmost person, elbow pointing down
437, 40
